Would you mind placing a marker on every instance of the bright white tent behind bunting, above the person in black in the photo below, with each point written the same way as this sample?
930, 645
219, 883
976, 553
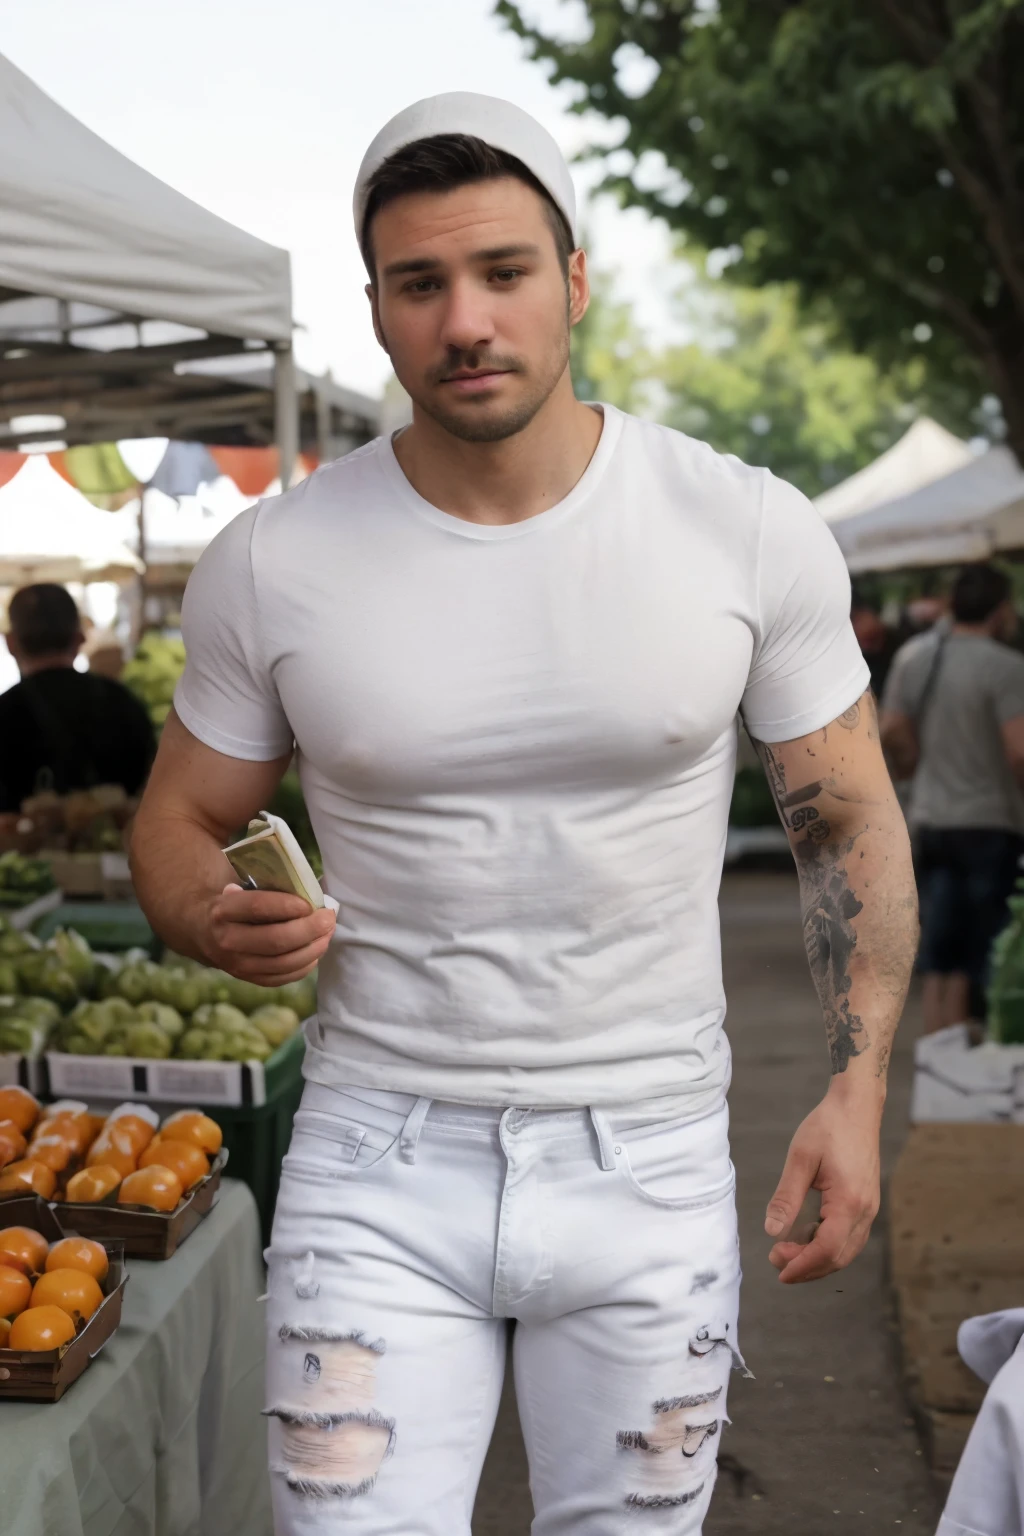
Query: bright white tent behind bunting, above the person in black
50, 532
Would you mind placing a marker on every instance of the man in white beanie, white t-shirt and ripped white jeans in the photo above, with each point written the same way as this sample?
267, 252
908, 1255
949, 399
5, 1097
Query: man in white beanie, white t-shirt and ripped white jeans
510, 647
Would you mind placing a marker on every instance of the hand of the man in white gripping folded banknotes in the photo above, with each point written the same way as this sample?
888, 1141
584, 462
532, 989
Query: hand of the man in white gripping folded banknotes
266, 936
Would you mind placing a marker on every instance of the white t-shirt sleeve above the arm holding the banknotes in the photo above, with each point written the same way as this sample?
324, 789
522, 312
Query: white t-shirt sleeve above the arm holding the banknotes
226, 695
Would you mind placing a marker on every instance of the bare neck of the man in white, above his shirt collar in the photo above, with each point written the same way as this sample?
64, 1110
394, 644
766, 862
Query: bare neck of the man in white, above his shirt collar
507, 482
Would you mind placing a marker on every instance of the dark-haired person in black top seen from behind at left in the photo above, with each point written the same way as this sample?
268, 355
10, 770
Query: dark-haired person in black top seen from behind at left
62, 729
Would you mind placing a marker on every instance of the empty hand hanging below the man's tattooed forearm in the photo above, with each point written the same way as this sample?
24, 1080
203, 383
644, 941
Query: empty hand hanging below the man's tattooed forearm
834, 1151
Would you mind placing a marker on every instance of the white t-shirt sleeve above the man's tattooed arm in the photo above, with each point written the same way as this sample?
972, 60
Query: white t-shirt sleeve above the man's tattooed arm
807, 666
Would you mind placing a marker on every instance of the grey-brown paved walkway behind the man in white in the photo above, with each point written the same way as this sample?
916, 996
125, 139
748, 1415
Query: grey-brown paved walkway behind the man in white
821, 1442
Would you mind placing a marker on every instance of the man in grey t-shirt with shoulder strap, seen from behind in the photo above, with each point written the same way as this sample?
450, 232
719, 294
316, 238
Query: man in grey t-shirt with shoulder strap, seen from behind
954, 718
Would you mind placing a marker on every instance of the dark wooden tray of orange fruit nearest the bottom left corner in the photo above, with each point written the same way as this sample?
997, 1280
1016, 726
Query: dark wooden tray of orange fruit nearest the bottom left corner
45, 1375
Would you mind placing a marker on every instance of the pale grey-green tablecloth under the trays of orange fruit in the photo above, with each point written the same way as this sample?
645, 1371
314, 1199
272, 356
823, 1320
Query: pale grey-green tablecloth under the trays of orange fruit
164, 1432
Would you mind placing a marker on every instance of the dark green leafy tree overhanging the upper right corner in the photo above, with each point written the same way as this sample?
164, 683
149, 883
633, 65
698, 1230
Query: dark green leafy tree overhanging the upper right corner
868, 151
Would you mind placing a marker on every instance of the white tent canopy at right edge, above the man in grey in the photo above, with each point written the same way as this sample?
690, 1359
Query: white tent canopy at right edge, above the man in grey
969, 515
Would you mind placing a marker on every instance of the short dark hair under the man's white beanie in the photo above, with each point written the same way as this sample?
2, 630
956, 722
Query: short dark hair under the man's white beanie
443, 164
